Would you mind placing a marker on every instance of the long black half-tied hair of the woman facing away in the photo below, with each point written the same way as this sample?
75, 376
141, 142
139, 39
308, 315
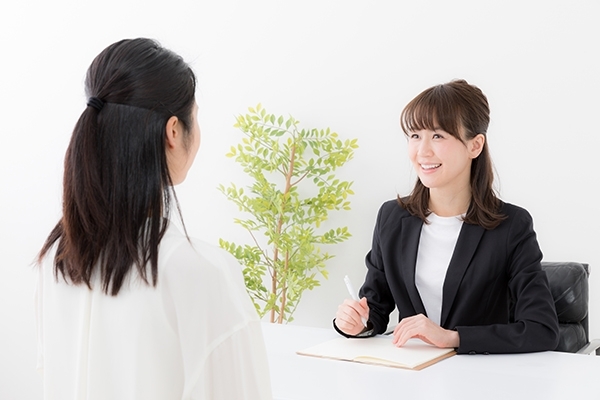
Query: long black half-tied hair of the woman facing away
117, 189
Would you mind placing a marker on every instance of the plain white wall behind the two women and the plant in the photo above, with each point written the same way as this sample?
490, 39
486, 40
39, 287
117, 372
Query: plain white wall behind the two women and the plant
347, 65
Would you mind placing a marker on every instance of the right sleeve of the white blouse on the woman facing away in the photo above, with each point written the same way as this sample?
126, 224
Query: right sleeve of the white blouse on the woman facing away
221, 340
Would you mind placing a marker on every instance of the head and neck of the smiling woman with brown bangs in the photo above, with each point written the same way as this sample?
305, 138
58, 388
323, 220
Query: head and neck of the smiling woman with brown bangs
448, 123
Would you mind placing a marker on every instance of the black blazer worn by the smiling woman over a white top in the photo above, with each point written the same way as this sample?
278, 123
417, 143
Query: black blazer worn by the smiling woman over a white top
492, 275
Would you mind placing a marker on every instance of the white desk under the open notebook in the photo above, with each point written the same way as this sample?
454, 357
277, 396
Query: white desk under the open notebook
547, 376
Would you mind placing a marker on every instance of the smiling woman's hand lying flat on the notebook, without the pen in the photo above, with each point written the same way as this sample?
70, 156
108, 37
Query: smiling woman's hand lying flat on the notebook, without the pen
419, 326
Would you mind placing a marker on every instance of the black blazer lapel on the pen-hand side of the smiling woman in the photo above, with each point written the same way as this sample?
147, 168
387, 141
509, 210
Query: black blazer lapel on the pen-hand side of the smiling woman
411, 233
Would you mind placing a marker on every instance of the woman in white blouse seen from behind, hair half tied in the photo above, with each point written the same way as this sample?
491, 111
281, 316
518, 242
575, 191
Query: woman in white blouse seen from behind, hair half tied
128, 307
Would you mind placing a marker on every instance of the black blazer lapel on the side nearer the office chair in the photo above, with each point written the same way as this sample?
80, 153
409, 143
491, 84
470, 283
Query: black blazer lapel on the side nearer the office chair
467, 243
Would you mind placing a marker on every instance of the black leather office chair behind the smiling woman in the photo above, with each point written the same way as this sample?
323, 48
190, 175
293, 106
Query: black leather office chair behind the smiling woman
570, 290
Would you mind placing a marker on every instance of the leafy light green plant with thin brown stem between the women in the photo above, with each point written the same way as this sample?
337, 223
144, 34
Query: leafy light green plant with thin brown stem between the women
293, 190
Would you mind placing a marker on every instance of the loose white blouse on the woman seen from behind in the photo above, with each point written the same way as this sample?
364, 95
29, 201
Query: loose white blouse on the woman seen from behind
196, 335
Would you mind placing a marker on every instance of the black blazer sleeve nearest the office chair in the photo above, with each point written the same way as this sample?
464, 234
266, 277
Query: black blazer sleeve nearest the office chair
535, 324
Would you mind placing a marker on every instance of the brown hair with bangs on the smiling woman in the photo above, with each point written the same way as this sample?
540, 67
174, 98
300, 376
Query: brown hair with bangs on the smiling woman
455, 107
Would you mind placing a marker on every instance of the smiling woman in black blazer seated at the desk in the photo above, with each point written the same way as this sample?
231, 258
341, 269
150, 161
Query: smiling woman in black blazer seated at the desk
452, 257
